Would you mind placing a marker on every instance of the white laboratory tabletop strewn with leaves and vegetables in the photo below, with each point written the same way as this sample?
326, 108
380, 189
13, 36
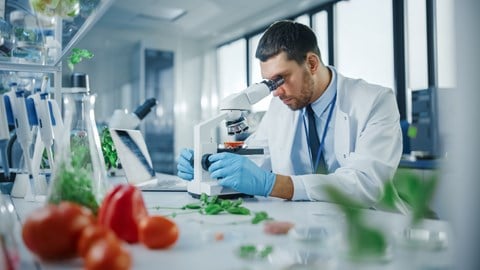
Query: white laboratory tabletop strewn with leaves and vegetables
197, 247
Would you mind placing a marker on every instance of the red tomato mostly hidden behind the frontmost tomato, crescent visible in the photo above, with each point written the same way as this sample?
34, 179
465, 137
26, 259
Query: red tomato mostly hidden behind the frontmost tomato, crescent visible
92, 234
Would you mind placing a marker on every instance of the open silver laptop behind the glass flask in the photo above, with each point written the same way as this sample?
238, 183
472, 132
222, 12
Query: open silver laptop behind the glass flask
137, 164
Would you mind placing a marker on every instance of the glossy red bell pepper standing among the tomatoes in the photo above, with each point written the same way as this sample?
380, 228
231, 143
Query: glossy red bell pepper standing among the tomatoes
121, 210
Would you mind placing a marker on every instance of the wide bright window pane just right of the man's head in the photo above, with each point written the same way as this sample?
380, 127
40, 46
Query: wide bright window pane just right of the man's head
361, 53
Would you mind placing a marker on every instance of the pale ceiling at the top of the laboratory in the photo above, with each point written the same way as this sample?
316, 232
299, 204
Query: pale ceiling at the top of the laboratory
202, 19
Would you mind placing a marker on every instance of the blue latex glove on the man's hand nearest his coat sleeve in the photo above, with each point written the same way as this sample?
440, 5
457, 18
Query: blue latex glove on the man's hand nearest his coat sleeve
240, 173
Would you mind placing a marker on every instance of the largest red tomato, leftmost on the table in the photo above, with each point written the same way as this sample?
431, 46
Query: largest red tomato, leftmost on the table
52, 232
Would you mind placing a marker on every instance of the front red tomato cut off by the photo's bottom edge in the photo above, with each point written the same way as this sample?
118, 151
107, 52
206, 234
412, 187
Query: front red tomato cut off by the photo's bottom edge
107, 255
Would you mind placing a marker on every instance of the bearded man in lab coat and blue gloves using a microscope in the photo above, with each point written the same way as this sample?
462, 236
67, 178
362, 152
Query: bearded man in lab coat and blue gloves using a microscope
351, 140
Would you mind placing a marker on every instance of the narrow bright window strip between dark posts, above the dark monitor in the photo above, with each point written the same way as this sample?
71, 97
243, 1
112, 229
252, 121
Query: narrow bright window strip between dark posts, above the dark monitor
416, 40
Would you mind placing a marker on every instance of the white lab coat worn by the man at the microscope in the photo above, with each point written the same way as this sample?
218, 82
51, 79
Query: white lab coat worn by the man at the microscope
367, 141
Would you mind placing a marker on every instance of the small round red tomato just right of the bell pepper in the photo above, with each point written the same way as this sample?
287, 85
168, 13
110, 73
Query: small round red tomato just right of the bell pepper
157, 232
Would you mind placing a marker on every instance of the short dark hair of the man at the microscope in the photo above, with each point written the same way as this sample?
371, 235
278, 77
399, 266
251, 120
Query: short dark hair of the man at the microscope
294, 38
